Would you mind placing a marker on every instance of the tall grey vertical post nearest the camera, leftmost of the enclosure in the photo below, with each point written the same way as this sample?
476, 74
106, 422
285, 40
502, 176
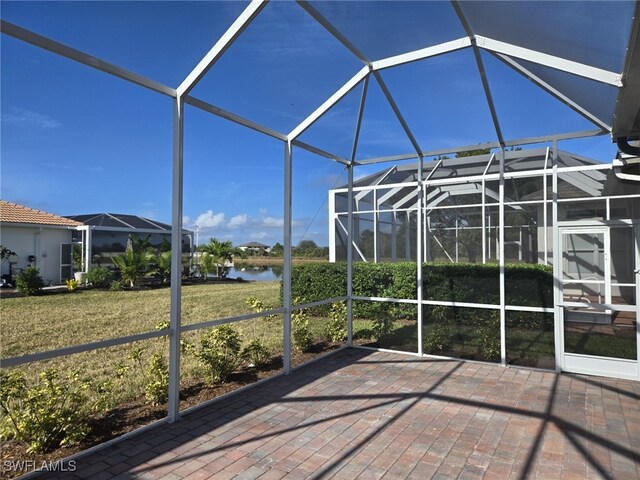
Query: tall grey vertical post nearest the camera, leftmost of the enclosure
176, 261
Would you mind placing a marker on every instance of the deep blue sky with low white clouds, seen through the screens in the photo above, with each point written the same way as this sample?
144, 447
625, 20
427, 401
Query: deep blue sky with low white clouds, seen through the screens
75, 140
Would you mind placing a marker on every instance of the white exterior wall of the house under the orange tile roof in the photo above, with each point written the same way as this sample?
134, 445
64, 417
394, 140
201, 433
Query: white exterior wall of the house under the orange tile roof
41, 241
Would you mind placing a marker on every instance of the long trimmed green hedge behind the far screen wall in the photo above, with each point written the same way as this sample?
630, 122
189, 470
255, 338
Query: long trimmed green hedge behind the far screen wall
525, 284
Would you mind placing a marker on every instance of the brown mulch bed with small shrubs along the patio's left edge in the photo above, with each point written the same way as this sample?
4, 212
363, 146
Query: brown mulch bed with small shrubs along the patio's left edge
138, 412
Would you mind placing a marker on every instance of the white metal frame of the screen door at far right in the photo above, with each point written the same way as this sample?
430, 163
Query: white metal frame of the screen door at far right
592, 364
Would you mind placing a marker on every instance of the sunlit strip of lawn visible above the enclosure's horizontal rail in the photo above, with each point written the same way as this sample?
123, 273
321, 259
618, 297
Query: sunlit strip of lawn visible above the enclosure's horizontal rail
47, 322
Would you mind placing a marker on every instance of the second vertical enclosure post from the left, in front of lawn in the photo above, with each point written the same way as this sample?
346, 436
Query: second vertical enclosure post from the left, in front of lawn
286, 277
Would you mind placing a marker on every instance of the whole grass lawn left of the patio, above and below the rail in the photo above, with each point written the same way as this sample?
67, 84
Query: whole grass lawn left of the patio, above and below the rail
48, 322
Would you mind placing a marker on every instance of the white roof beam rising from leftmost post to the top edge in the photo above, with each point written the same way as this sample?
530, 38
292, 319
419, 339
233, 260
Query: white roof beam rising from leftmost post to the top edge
221, 46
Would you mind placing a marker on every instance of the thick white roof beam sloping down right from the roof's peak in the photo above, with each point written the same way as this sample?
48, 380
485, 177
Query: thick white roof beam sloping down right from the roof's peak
569, 66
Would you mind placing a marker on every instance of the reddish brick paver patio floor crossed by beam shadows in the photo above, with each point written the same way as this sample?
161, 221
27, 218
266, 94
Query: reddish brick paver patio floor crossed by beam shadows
368, 415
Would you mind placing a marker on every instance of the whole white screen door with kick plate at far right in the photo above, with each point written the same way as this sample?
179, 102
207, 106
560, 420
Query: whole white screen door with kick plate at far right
599, 300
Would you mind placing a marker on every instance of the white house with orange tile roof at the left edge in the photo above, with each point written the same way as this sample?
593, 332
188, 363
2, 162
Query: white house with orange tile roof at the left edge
39, 239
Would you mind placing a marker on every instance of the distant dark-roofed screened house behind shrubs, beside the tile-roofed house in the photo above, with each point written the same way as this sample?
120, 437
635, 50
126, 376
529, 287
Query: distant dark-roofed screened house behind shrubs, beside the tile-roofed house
108, 234
